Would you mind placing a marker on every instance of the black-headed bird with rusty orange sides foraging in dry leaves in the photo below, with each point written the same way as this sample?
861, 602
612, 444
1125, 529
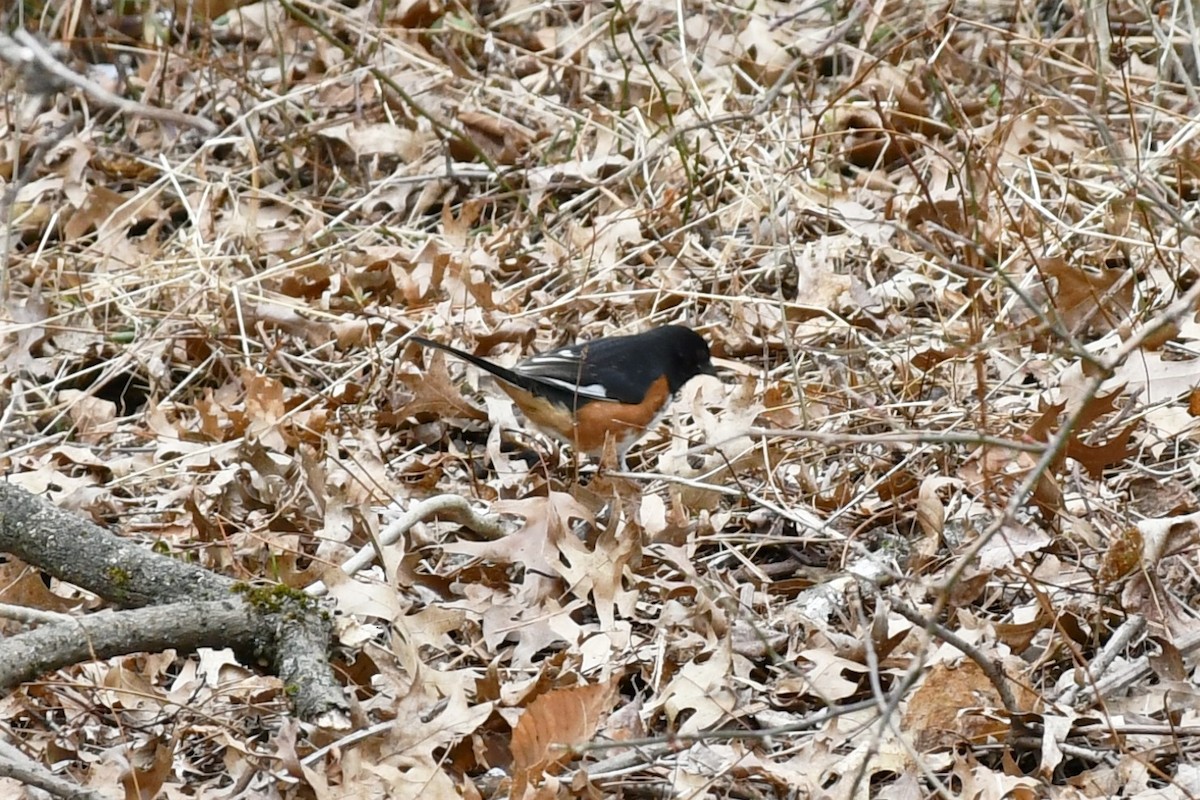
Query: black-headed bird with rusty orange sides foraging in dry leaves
616, 387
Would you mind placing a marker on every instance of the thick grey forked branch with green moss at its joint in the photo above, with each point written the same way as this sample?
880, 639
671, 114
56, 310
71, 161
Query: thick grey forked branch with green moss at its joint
286, 630
